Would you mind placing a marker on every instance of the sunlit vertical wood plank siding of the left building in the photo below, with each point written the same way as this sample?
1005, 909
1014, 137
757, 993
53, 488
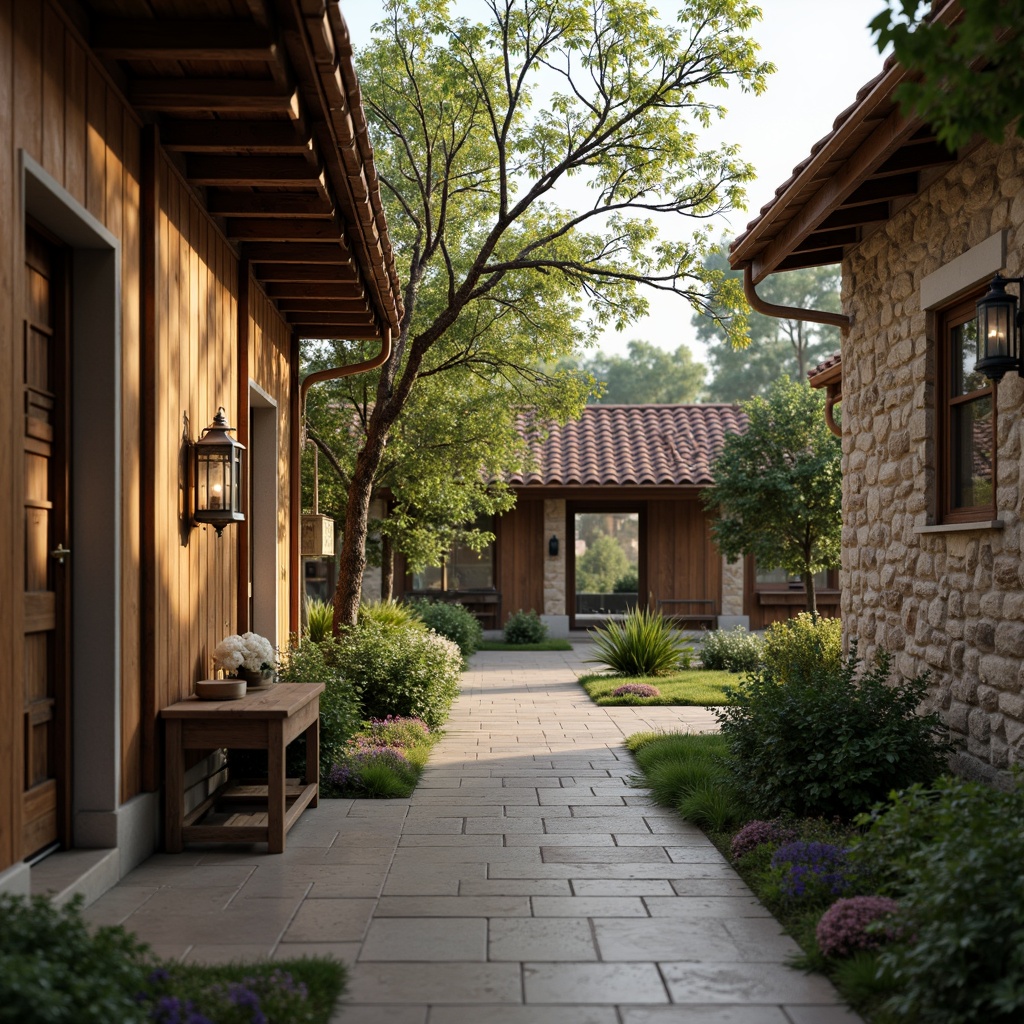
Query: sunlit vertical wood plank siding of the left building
58, 105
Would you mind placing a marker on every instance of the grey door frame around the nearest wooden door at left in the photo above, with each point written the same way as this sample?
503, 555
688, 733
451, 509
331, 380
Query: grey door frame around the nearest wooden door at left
96, 501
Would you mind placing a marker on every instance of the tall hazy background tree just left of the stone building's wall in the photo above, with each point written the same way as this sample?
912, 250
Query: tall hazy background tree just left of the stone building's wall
775, 347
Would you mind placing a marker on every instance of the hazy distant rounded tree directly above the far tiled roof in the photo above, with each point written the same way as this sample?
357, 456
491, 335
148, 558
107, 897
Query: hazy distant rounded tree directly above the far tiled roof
648, 374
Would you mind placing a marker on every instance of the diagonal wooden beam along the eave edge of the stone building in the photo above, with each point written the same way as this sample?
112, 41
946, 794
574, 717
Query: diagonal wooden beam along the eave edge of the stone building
862, 164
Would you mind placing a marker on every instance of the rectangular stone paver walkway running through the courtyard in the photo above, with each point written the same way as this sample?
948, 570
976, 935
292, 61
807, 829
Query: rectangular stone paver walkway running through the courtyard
525, 883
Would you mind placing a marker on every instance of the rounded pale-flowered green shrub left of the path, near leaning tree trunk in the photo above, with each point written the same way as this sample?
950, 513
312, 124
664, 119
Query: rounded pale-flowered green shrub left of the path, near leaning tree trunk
402, 670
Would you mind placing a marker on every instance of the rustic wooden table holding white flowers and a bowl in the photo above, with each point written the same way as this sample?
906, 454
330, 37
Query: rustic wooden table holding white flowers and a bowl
267, 720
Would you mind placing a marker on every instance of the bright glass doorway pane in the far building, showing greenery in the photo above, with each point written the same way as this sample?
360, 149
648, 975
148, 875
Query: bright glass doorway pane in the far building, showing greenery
608, 563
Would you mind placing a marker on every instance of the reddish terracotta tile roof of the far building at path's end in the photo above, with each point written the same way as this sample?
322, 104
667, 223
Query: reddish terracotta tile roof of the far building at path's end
633, 446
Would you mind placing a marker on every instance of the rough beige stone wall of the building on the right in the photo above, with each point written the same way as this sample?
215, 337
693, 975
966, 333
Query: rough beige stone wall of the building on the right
946, 601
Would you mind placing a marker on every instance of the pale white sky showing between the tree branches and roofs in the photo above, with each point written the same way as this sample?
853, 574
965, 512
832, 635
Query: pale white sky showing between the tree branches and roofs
823, 53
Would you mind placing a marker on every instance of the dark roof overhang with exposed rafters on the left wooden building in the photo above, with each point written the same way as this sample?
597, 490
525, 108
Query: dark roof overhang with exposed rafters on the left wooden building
263, 115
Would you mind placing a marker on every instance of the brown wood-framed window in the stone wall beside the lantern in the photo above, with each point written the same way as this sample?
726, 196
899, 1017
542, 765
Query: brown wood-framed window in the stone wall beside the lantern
967, 421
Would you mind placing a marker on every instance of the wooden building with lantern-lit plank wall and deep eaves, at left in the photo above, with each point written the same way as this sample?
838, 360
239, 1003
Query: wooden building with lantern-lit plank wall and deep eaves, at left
187, 188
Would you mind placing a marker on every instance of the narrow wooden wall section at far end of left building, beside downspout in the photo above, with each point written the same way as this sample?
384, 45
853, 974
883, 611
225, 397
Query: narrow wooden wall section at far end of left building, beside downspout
270, 367
